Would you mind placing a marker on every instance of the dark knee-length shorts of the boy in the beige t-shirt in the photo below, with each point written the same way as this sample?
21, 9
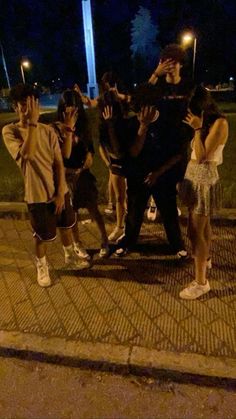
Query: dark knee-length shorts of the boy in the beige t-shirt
44, 221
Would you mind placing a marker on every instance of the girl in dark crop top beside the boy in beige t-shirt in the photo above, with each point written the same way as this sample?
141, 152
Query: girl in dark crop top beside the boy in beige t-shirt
77, 151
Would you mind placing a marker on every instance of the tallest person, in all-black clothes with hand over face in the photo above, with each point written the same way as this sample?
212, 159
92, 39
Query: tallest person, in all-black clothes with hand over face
162, 158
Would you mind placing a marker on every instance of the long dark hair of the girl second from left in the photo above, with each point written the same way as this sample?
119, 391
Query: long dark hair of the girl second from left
72, 98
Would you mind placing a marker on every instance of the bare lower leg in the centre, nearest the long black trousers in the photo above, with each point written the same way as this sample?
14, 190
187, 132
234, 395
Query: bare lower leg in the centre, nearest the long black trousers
119, 187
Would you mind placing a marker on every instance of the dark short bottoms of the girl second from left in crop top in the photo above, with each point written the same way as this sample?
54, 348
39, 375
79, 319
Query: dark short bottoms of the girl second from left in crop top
83, 189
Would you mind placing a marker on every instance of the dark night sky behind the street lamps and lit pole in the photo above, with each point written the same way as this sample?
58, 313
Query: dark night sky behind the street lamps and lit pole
50, 34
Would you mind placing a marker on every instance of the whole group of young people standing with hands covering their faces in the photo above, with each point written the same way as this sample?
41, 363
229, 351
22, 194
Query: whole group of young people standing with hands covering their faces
144, 141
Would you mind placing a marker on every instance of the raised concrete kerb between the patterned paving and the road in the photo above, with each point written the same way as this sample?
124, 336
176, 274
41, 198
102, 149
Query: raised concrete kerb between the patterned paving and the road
119, 358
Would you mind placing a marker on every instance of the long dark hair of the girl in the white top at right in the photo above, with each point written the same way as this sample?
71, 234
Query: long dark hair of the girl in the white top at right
202, 101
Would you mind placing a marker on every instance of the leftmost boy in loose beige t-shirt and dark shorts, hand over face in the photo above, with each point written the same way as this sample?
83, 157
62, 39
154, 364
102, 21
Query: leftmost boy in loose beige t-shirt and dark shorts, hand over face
35, 148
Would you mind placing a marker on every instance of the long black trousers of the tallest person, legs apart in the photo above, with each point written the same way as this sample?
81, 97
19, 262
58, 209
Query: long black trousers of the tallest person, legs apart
165, 197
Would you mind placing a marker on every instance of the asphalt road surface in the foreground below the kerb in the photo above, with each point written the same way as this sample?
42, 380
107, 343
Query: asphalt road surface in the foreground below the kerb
30, 389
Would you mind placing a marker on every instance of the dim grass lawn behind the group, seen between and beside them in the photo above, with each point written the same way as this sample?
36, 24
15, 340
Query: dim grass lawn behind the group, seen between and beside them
11, 183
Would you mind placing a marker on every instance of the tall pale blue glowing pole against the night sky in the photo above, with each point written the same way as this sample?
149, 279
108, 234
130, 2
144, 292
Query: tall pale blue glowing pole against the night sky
92, 86
